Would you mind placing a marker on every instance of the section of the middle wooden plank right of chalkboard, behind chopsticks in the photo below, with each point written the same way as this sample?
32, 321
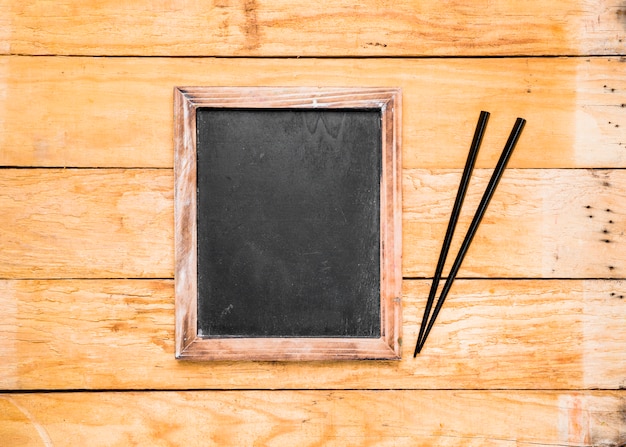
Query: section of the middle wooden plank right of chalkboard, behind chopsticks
540, 223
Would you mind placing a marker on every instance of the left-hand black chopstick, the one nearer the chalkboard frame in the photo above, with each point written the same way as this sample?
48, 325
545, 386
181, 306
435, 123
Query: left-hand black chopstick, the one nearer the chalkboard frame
454, 217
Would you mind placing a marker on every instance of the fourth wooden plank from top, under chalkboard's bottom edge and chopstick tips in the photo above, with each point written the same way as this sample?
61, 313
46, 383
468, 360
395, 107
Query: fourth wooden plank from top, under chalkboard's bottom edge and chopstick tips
491, 334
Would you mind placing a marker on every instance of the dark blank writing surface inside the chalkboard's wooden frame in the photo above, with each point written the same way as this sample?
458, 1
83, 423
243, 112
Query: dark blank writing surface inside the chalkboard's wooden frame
288, 222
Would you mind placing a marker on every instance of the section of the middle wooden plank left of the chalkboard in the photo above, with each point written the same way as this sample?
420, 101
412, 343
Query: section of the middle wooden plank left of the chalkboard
83, 223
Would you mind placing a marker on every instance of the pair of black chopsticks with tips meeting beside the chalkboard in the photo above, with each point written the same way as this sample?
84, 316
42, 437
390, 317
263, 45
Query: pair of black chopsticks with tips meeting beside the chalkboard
456, 209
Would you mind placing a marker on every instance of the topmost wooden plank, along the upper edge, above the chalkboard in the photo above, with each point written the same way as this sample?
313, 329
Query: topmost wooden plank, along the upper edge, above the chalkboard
298, 28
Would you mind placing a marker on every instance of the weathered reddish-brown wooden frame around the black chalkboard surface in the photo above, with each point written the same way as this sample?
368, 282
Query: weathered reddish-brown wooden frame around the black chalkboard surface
190, 346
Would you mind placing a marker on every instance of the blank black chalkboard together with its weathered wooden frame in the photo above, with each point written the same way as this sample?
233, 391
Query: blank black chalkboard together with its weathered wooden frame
287, 216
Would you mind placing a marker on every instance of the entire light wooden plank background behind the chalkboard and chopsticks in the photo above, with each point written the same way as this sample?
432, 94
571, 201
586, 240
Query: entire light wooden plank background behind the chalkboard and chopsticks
530, 348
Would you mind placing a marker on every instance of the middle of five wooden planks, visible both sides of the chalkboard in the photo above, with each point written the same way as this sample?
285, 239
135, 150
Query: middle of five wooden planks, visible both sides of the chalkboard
110, 223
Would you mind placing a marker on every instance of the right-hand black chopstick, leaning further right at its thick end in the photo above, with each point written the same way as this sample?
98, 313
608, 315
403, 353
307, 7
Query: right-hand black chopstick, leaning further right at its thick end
484, 202
